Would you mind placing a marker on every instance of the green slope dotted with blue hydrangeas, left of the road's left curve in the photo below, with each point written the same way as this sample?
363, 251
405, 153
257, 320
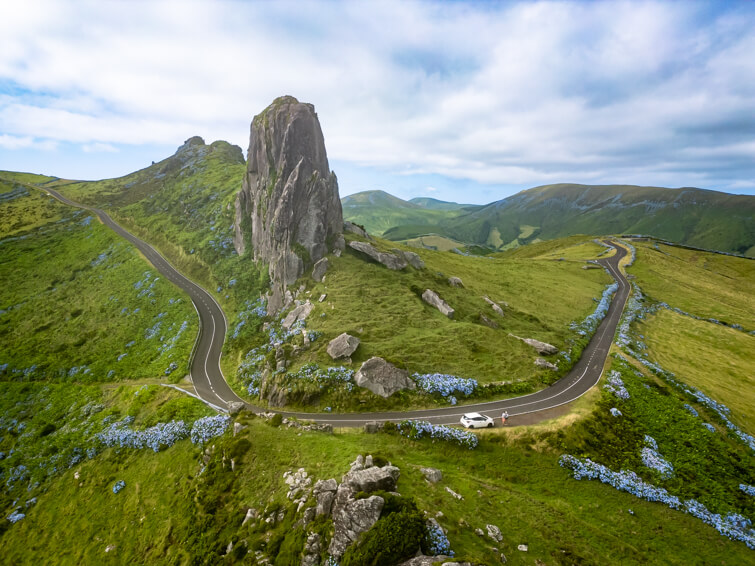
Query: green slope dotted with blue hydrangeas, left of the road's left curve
71, 306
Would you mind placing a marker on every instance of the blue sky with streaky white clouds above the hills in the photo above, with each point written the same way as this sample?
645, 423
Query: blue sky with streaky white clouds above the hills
460, 101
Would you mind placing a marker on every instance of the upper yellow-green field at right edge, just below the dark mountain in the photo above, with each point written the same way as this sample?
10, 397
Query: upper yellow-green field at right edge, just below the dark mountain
705, 284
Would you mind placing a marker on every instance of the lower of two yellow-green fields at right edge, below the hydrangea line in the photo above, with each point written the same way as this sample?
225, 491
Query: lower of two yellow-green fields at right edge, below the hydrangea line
715, 359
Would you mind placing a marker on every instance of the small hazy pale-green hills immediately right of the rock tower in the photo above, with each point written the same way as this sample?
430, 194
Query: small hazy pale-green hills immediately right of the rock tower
378, 211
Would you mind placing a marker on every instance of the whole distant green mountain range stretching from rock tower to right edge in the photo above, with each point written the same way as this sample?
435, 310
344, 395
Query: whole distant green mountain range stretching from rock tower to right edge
691, 216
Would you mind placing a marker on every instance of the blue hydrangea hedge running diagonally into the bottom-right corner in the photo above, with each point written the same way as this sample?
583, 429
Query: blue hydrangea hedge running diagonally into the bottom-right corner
733, 526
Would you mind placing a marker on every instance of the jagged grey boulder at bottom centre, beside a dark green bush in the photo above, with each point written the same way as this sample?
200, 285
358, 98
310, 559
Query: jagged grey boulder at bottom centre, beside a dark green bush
352, 517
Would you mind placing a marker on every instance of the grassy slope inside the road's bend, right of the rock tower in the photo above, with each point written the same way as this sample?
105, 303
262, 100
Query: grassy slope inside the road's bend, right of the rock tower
391, 320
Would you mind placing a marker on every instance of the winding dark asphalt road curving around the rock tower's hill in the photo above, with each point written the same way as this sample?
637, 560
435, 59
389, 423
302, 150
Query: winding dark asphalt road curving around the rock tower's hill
211, 387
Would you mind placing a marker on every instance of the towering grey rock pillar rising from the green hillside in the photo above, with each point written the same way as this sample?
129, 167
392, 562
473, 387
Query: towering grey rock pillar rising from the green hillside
288, 209
